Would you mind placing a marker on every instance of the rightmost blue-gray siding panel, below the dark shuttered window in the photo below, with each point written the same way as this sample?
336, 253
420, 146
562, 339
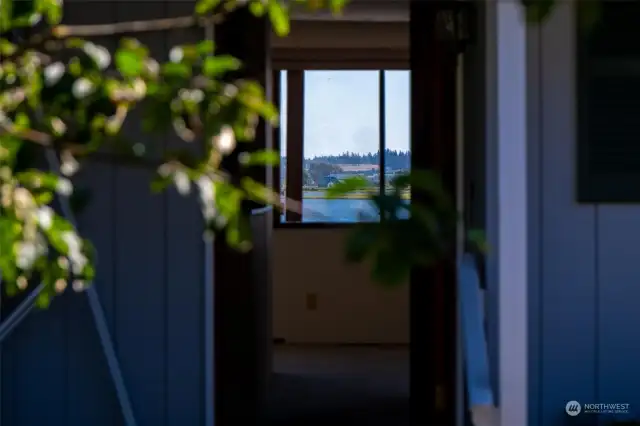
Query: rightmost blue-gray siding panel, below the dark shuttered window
619, 276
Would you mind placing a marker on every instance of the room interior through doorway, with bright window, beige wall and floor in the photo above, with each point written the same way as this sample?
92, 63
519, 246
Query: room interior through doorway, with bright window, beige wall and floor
341, 355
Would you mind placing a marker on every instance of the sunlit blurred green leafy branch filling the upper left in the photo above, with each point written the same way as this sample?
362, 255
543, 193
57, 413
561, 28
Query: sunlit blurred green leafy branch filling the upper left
61, 92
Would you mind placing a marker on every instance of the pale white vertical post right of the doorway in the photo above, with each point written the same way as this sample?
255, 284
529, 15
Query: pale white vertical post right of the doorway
507, 205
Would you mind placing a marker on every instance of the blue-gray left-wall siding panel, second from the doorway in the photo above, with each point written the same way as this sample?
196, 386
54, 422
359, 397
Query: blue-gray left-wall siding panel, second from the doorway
140, 261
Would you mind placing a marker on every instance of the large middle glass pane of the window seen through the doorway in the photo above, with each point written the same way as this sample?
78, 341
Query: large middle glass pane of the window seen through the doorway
341, 139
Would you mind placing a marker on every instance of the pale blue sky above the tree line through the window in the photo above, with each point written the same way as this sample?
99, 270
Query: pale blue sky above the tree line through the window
341, 112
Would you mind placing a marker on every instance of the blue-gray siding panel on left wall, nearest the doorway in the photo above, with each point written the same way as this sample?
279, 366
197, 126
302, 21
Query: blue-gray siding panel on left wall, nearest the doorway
184, 248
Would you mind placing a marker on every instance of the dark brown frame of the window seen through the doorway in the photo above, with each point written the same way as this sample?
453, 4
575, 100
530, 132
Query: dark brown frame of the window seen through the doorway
300, 60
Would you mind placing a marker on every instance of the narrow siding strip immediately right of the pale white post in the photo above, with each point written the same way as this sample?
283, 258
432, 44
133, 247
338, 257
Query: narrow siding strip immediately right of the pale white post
535, 215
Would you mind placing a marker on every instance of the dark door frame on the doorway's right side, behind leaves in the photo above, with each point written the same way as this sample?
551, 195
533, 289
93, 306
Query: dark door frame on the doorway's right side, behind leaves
433, 314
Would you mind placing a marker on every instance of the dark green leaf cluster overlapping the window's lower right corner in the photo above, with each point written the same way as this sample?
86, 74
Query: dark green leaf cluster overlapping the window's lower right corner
419, 233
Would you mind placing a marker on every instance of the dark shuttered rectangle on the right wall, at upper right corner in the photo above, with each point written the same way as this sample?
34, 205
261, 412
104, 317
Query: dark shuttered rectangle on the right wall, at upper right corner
608, 107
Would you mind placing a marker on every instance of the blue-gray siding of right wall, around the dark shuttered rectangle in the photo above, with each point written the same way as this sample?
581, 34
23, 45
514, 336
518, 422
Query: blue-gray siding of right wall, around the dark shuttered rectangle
584, 276
